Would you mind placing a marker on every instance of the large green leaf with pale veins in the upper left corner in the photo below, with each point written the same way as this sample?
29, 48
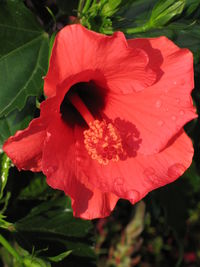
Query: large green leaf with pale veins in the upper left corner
23, 56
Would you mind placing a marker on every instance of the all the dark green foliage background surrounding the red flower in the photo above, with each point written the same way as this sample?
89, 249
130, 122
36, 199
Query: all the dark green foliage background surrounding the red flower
36, 221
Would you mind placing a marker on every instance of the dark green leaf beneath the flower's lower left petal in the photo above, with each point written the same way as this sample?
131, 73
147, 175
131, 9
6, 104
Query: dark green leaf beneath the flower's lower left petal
54, 216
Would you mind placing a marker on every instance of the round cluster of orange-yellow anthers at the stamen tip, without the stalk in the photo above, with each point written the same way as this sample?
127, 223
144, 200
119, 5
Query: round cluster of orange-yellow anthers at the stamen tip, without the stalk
103, 142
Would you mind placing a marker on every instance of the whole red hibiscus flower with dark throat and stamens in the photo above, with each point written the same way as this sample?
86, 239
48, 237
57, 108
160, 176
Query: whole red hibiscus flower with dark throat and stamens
112, 125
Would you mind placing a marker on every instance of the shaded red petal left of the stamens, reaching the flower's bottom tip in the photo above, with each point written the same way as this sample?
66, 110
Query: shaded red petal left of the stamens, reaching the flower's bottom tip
60, 165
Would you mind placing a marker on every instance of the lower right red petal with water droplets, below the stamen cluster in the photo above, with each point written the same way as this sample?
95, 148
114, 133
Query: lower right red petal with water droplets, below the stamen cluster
134, 177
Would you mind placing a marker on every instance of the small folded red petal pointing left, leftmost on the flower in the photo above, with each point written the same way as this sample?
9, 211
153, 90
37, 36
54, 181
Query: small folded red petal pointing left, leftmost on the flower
25, 147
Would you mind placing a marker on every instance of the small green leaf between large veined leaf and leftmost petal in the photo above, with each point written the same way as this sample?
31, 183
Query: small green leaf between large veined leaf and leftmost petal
16, 120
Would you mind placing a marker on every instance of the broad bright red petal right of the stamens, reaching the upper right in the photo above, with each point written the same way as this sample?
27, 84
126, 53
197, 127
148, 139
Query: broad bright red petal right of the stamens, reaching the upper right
161, 110
